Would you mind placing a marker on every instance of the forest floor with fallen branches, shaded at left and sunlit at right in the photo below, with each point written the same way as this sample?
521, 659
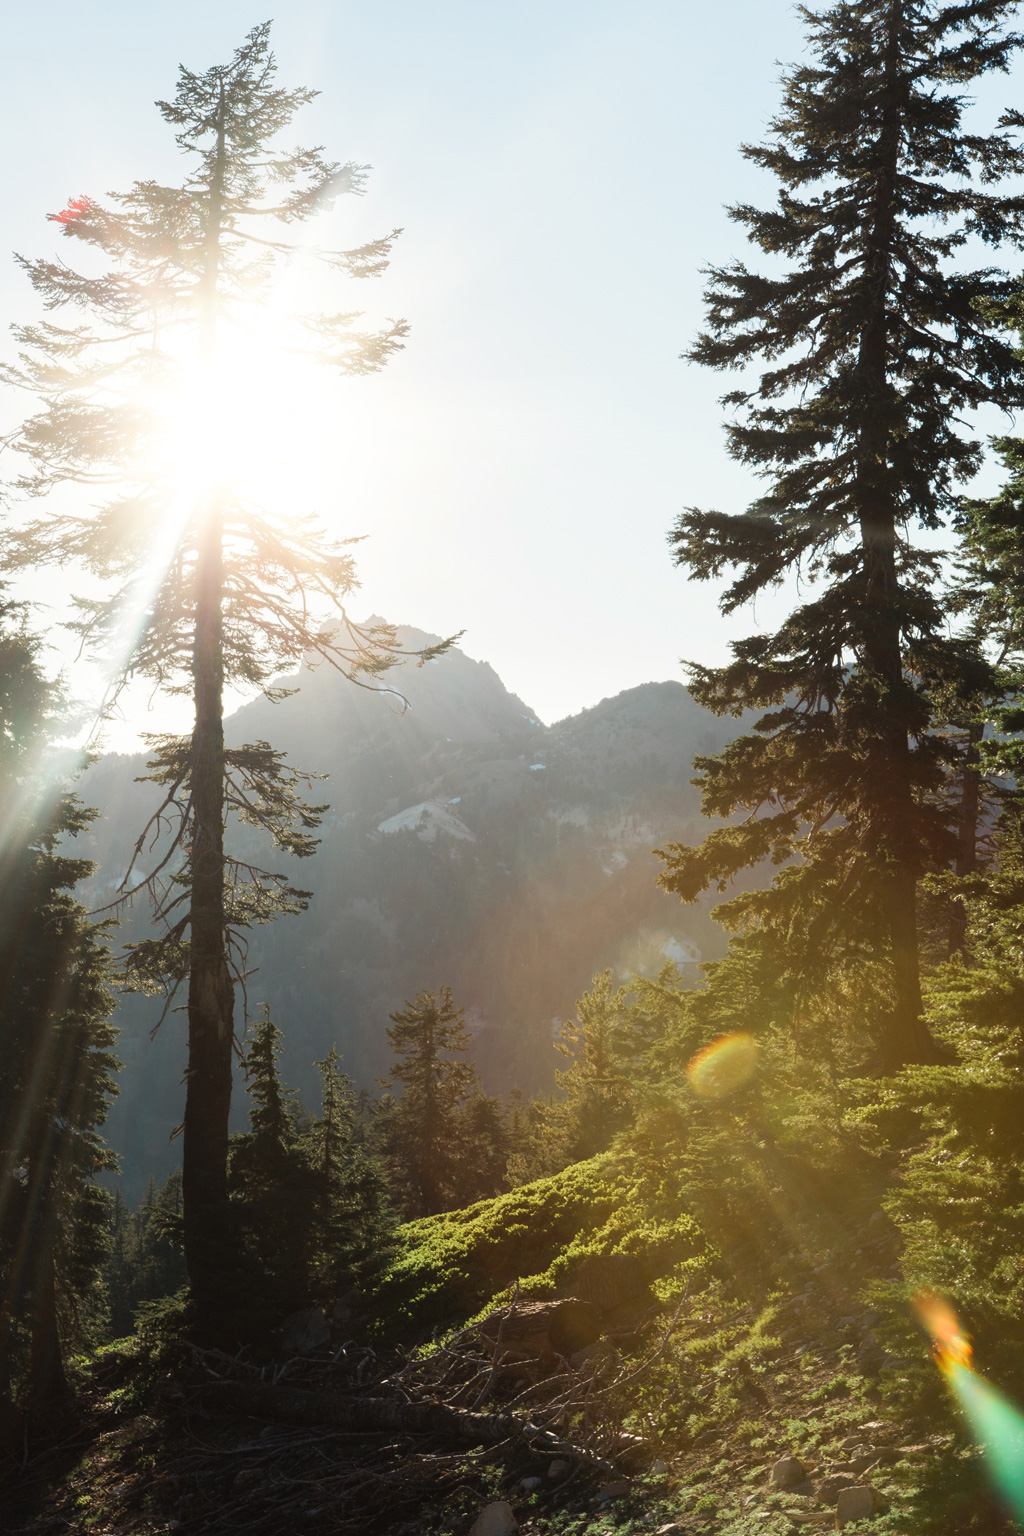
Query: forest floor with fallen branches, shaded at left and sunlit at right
785, 1399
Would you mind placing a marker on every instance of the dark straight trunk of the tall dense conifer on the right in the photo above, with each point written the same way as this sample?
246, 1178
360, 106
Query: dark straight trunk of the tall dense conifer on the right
891, 818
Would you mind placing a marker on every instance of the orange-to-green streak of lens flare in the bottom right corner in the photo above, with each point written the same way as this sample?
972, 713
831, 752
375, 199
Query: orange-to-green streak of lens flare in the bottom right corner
996, 1423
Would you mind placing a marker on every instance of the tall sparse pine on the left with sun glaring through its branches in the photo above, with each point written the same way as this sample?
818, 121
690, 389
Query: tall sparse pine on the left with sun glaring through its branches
205, 589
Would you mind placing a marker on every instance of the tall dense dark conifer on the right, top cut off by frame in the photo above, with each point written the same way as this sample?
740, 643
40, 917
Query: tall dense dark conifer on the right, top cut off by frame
876, 348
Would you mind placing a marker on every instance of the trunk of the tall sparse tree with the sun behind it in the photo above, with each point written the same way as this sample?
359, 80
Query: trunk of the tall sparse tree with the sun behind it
211, 990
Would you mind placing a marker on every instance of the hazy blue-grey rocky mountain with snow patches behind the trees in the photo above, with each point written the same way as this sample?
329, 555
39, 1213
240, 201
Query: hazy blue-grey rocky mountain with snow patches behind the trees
466, 844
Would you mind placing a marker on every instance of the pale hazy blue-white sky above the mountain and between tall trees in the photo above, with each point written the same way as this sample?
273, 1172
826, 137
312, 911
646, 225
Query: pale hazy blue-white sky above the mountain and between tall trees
560, 171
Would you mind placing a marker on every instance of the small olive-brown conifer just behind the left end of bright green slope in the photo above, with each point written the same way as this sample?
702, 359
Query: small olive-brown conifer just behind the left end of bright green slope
423, 1131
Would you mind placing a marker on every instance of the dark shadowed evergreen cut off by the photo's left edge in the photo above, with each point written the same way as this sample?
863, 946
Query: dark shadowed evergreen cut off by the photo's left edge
56, 1068
